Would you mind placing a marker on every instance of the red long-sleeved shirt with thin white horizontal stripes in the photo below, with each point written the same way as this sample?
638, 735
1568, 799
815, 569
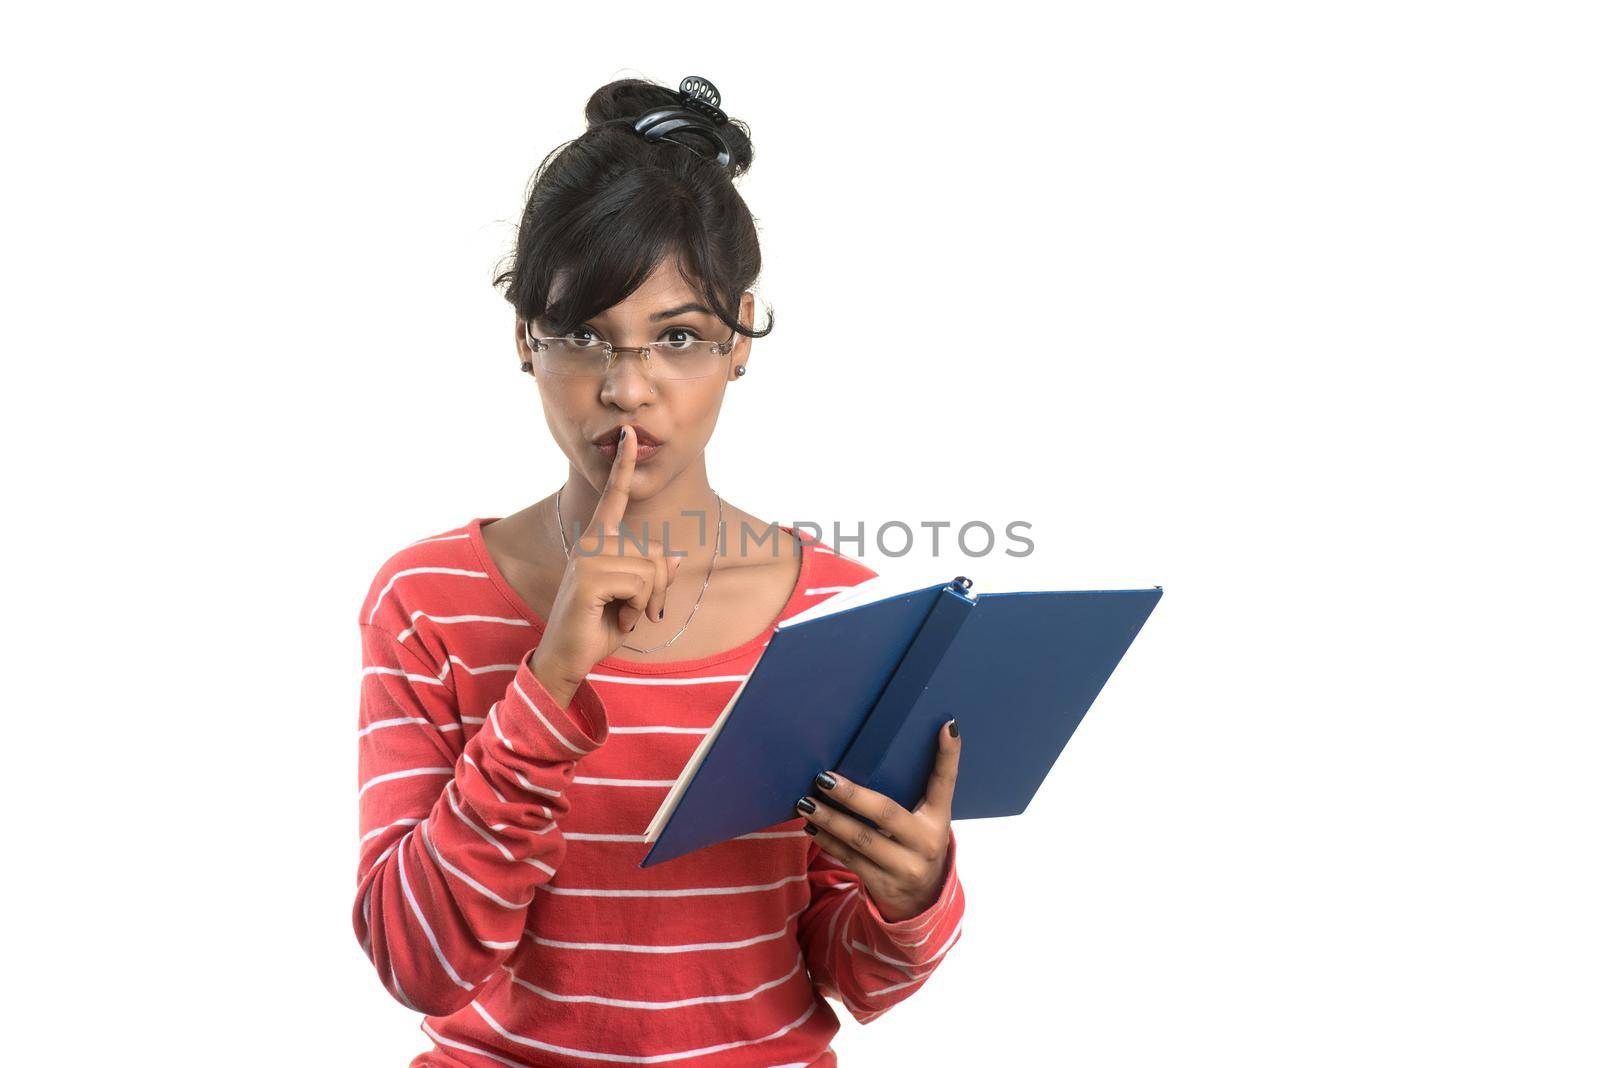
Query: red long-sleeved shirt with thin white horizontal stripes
498, 888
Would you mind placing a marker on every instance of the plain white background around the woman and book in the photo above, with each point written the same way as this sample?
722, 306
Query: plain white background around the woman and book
1298, 321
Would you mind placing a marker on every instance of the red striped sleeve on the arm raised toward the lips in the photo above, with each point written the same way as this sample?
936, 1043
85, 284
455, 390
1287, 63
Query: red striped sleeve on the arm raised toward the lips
457, 837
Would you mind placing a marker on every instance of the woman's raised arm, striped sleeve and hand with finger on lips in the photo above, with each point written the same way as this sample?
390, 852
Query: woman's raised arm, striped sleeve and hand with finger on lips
457, 839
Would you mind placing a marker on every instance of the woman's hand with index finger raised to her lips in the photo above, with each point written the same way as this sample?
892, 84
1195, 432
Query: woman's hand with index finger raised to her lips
610, 584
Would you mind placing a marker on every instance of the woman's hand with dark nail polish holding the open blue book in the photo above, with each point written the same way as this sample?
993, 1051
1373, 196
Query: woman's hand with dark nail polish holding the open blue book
903, 863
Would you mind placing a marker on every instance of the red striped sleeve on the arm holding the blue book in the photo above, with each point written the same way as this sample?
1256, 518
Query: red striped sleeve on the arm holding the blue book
862, 958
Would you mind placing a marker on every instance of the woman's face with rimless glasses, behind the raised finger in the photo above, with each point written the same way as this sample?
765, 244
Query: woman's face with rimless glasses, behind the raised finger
678, 413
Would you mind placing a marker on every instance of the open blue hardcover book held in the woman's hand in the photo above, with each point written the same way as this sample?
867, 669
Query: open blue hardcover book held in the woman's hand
862, 685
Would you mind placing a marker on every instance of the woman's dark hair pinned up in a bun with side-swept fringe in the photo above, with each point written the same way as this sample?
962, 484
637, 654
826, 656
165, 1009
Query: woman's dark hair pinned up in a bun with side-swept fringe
609, 207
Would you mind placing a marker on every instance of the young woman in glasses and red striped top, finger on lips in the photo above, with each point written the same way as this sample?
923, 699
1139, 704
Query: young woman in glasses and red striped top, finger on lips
535, 683
